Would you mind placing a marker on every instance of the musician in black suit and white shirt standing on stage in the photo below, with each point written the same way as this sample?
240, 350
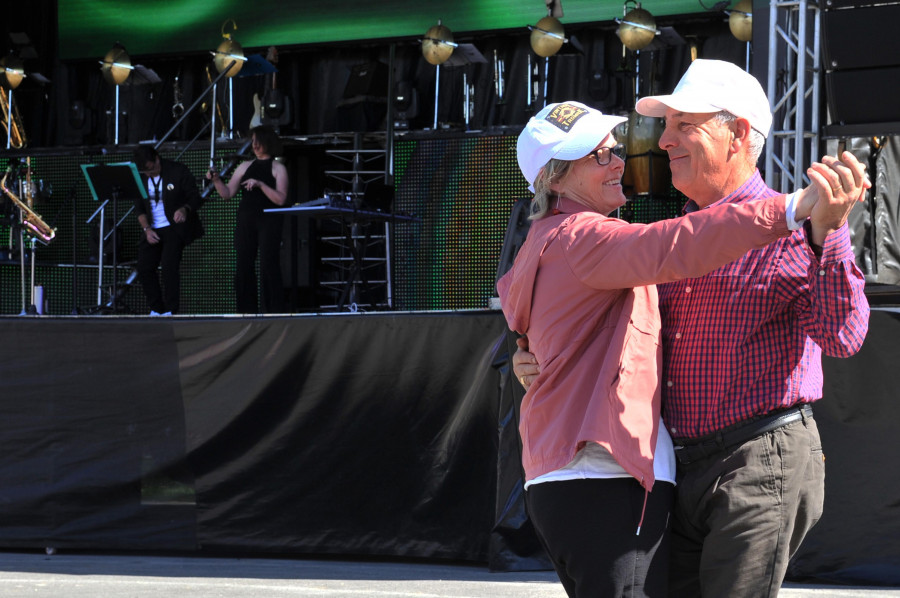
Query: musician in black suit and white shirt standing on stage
170, 222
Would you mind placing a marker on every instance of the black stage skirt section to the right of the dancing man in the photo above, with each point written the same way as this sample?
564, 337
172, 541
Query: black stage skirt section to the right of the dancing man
855, 542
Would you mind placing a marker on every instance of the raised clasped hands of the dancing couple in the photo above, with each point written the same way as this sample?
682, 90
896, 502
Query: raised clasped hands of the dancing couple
840, 183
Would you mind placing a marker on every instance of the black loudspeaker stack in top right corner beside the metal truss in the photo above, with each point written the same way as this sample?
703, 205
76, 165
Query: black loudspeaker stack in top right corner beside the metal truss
855, 72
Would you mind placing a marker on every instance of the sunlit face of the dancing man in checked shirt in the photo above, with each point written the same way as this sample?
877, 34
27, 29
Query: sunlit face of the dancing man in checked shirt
698, 147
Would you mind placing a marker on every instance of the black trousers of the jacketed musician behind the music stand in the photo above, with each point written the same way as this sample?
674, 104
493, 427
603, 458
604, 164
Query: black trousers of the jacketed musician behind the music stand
168, 253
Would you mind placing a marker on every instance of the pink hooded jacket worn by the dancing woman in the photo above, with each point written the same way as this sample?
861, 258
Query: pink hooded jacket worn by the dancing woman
582, 289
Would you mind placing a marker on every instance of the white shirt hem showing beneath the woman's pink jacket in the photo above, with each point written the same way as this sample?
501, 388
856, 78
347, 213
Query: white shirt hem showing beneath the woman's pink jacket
594, 461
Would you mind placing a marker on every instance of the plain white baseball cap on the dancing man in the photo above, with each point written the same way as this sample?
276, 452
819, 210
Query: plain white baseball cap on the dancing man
711, 86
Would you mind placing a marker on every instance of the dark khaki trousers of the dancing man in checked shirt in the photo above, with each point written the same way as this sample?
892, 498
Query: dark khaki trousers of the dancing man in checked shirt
740, 515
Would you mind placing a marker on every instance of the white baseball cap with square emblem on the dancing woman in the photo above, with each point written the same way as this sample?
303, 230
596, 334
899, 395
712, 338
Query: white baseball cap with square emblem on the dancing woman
565, 131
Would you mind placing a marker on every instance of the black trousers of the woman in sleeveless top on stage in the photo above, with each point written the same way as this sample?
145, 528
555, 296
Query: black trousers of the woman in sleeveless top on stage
258, 232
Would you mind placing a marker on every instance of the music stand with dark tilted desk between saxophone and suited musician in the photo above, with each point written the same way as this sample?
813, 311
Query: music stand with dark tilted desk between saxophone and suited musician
112, 182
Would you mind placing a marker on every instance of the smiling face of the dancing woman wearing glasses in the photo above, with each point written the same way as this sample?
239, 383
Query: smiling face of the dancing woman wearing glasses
598, 187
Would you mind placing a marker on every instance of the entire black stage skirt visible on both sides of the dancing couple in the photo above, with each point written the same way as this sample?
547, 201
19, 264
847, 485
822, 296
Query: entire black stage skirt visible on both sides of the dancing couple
382, 434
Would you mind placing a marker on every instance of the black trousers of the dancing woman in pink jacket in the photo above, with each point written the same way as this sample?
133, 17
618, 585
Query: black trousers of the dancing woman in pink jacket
588, 528
